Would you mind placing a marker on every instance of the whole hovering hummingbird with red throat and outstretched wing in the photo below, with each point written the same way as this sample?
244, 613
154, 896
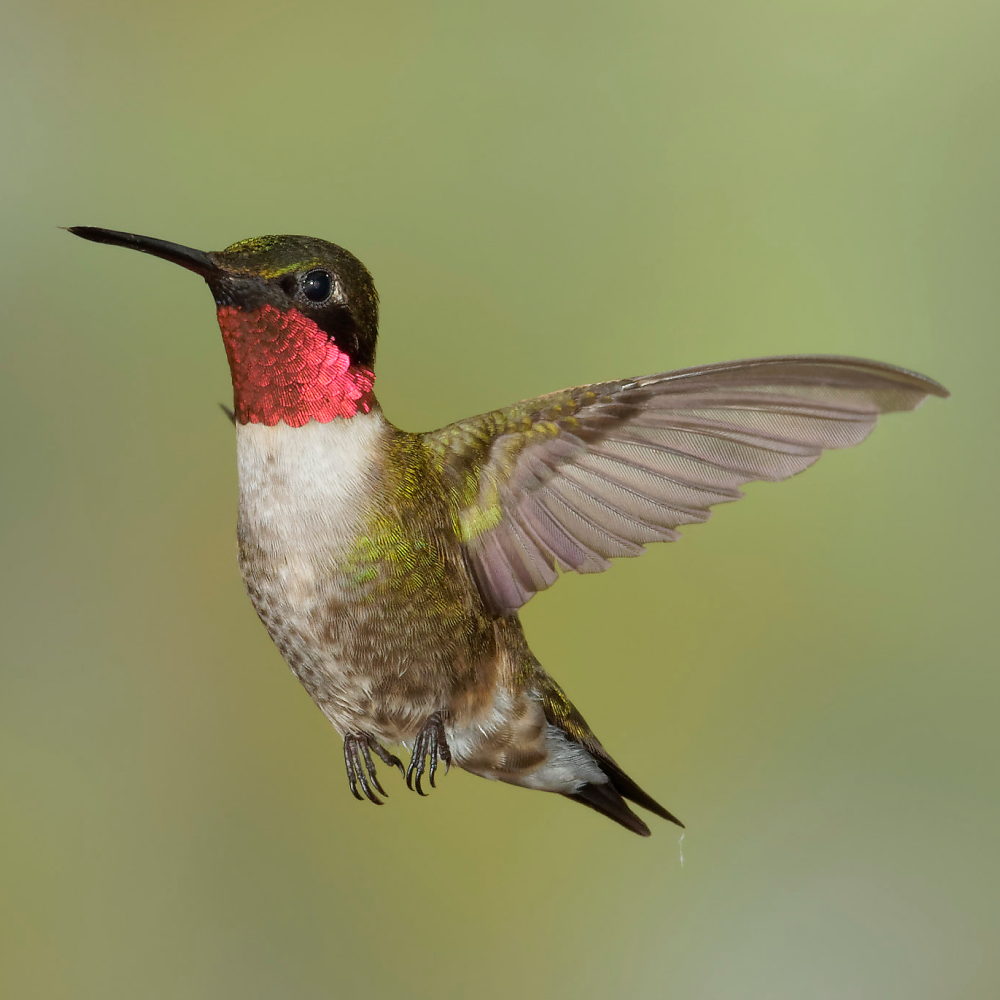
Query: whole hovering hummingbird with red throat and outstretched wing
389, 566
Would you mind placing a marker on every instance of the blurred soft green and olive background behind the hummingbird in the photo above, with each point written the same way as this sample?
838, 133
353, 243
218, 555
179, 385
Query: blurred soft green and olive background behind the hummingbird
547, 194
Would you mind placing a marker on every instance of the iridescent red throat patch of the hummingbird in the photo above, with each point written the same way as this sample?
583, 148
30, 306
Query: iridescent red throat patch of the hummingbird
285, 367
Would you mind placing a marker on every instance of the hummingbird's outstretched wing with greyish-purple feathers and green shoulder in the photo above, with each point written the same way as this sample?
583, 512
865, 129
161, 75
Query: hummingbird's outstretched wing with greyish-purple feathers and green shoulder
570, 480
